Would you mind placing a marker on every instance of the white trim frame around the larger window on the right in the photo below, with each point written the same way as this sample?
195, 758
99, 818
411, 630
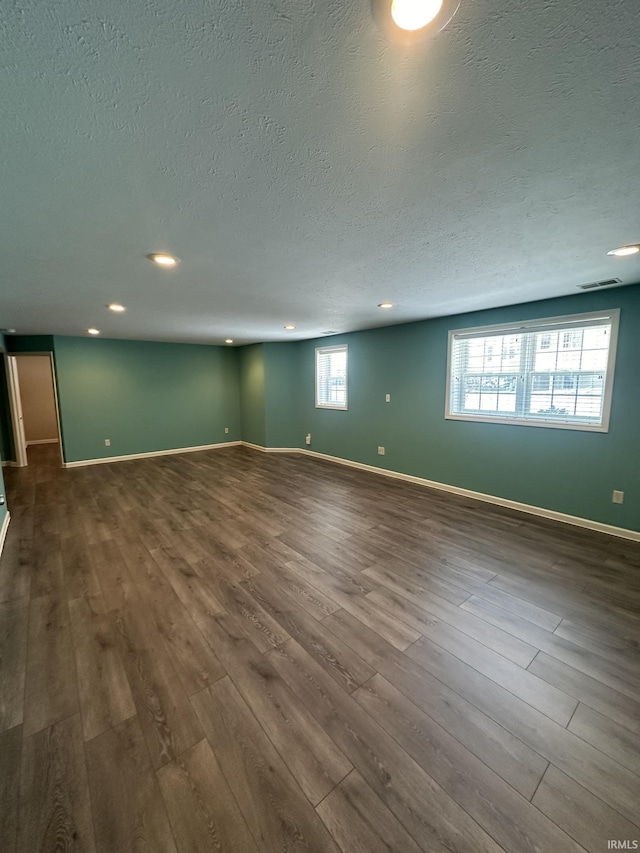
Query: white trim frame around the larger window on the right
541, 325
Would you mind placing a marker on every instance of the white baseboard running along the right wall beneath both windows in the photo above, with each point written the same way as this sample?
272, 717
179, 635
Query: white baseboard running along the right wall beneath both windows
574, 520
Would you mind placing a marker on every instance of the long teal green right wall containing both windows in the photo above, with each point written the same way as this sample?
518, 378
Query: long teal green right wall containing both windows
564, 470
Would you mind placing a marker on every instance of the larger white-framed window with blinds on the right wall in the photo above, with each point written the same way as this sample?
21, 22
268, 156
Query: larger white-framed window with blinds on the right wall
556, 372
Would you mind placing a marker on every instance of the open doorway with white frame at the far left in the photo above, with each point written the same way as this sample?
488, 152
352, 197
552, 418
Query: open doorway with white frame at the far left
33, 402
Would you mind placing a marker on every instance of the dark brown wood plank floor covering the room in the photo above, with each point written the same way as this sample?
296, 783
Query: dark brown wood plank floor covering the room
234, 651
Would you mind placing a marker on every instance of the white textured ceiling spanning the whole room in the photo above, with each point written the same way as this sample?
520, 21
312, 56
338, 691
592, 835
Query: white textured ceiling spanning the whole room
305, 168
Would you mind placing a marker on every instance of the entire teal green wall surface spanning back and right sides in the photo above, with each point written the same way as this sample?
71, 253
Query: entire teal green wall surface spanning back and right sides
153, 396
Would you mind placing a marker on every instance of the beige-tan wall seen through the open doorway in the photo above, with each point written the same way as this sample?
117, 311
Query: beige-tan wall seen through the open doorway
37, 398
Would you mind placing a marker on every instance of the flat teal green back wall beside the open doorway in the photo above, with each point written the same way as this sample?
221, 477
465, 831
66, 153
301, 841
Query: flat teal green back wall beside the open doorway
144, 396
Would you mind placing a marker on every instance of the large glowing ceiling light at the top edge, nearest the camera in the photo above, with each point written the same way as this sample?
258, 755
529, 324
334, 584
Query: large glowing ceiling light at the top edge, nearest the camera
413, 20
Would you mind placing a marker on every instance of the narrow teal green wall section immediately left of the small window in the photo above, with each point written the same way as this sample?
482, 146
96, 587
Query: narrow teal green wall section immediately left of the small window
282, 416
